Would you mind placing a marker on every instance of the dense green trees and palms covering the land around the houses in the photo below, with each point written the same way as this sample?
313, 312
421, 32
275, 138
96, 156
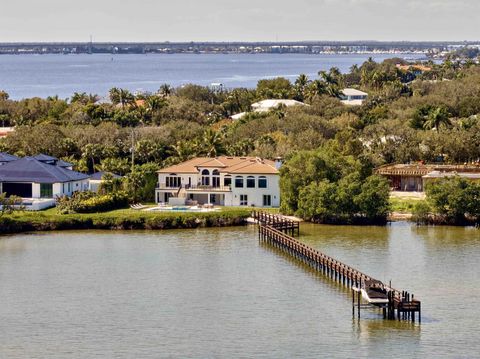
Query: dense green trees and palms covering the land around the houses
410, 115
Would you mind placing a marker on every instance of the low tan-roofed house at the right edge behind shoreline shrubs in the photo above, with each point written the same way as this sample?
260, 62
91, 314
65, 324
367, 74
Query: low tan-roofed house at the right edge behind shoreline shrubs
413, 177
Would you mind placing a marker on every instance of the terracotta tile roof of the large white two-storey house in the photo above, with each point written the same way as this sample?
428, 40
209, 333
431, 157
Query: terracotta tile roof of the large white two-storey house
240, 165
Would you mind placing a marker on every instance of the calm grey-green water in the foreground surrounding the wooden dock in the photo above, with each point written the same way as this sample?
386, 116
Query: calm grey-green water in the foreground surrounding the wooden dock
219, 293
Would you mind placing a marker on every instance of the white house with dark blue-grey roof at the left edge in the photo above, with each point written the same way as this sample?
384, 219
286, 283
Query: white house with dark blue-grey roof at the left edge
40, 181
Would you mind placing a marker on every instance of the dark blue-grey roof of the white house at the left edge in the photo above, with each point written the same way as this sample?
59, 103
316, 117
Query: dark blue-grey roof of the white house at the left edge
29, 169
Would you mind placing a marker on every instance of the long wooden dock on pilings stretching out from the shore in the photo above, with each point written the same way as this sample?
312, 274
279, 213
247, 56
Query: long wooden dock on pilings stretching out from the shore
280, 232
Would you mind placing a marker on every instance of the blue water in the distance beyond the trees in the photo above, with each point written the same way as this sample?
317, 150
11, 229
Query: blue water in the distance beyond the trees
25, 76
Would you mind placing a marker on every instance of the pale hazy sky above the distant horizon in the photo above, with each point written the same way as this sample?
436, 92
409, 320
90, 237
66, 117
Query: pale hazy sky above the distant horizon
240, 20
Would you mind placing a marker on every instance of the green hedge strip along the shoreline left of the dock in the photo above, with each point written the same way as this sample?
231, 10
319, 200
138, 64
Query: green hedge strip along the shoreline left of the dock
124, 219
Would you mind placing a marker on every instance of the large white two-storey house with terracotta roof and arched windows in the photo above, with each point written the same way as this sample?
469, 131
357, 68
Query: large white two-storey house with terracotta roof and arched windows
224, 181
